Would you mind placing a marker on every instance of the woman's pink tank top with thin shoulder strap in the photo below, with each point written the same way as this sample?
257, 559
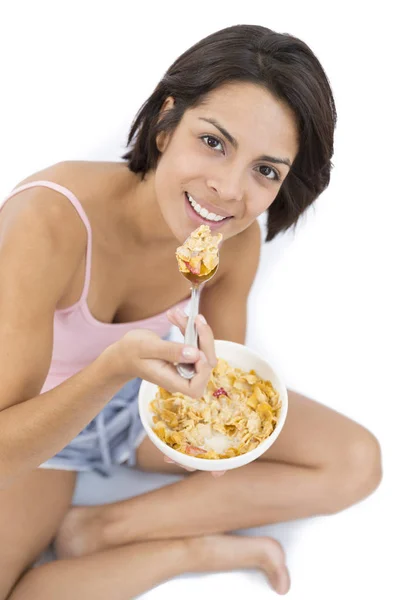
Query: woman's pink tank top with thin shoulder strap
79, 338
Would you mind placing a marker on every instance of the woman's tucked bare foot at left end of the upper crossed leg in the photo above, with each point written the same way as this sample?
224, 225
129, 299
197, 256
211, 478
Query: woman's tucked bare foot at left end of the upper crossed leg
79, 533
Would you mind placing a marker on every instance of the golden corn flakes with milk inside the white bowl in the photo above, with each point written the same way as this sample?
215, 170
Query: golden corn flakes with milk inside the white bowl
237, 412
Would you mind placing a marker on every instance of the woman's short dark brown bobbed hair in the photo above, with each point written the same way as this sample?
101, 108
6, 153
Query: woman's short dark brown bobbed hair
279, 62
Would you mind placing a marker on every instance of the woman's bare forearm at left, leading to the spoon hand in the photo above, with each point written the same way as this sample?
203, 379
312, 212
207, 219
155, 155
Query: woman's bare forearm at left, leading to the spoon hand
36, 429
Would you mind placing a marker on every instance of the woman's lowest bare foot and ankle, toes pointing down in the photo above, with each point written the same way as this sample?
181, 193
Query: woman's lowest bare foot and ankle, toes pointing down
229, 552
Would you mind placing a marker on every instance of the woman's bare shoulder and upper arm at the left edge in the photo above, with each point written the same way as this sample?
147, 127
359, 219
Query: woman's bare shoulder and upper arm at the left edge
42, 242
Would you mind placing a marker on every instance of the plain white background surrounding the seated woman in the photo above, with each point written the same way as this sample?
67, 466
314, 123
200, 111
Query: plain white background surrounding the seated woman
324, 308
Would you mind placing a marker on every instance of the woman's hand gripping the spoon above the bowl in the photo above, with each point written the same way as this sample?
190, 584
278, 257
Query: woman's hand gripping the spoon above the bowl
142, 353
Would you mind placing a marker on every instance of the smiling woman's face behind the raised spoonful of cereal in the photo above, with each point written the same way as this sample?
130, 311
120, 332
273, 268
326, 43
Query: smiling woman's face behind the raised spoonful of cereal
226, 160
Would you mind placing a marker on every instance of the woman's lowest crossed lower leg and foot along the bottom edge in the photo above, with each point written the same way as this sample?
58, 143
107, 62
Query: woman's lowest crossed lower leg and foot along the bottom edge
128, 571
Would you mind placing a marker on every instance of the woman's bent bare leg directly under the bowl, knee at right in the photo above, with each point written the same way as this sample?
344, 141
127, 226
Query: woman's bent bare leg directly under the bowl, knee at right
321, 463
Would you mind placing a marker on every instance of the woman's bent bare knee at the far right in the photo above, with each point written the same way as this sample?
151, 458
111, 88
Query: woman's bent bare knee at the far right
358, 470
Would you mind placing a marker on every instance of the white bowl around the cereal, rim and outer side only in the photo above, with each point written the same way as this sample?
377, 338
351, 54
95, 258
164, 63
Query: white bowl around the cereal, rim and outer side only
236, 355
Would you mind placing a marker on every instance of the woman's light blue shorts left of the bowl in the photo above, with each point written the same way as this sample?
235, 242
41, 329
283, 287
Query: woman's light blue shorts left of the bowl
111, 438
